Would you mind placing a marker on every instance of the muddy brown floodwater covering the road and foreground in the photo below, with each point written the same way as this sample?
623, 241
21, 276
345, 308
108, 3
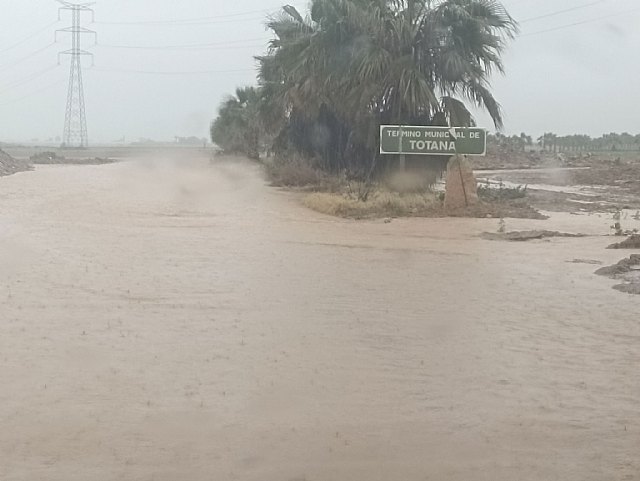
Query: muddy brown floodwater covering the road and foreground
173, 320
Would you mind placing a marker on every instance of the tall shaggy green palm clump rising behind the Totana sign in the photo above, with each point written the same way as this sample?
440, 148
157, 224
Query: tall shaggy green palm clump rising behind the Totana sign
355, 64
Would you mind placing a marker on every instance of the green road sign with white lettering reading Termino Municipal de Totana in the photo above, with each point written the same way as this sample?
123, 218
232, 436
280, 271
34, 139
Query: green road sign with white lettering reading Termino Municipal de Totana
420, 140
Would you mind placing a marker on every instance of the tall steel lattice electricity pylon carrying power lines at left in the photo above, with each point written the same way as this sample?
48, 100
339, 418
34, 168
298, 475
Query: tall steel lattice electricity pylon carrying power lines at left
75, 121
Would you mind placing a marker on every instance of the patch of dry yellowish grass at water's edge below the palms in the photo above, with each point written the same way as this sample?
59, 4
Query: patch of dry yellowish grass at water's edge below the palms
379, 204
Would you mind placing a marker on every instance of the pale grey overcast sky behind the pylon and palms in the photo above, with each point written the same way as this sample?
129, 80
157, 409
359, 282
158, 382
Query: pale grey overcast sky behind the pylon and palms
574, 68
